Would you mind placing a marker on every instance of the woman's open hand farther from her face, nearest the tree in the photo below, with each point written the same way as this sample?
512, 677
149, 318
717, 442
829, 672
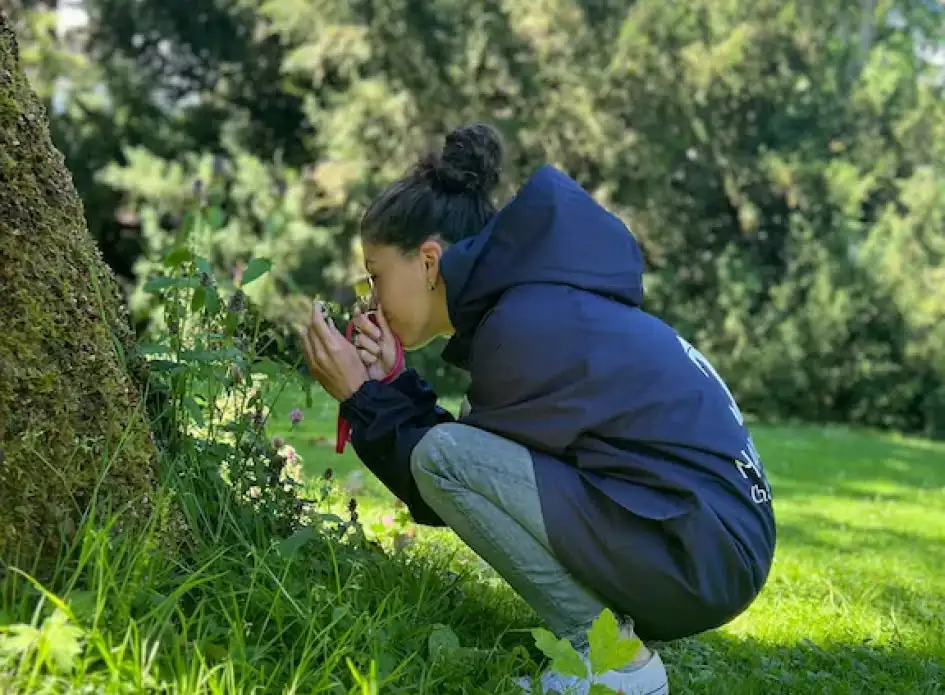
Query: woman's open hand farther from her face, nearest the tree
332, 361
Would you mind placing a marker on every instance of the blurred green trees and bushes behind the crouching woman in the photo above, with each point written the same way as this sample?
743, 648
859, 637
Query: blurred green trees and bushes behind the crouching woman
781, 163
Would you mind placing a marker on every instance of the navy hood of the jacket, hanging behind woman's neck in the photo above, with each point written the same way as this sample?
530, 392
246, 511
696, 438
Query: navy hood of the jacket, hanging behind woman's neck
553, 232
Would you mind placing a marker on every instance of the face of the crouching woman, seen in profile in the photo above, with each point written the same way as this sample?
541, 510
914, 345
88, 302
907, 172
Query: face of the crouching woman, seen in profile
402, 286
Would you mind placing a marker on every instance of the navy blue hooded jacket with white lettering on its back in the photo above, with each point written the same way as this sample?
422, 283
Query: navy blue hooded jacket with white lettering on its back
653, 493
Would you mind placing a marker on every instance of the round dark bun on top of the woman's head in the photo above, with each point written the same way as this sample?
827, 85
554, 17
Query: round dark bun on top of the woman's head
471, 160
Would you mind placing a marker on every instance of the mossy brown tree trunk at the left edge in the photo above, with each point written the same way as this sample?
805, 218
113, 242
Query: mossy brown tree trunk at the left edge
72, 426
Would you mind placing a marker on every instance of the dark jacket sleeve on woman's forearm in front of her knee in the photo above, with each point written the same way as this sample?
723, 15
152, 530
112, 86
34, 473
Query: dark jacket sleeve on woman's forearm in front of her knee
387, 421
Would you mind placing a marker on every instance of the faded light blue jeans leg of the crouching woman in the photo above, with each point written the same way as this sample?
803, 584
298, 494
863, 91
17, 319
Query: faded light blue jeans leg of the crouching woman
483, 486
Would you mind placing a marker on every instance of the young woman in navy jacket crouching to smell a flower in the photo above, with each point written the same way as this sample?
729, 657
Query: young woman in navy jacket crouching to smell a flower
602, 462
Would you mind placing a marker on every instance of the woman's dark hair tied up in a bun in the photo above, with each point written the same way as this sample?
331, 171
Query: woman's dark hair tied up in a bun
445, 195
